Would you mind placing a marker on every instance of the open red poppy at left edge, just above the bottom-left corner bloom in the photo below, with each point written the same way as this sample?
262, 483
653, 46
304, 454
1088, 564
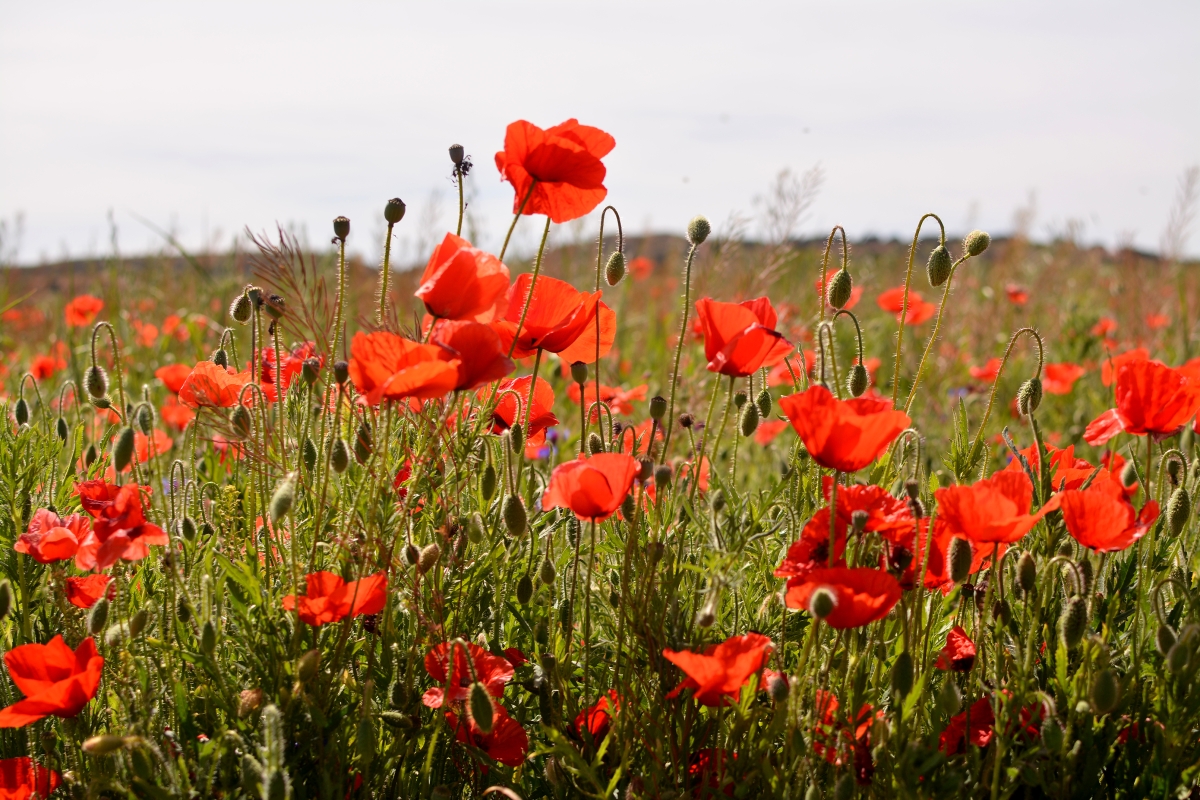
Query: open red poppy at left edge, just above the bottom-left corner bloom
55, 679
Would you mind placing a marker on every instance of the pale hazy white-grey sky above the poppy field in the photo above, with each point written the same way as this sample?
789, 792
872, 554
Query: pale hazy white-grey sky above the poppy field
209, 117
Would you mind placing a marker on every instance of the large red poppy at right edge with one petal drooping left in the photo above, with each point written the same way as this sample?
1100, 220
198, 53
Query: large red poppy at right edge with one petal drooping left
1153, 400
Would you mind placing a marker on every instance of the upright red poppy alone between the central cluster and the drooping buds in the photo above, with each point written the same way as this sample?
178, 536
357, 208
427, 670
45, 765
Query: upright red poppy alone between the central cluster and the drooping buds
741, 338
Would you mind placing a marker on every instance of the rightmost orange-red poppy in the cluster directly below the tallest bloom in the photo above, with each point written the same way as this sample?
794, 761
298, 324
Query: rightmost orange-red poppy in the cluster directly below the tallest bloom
561, 320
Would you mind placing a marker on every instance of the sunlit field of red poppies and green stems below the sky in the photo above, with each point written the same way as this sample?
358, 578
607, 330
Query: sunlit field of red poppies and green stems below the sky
680, 519
